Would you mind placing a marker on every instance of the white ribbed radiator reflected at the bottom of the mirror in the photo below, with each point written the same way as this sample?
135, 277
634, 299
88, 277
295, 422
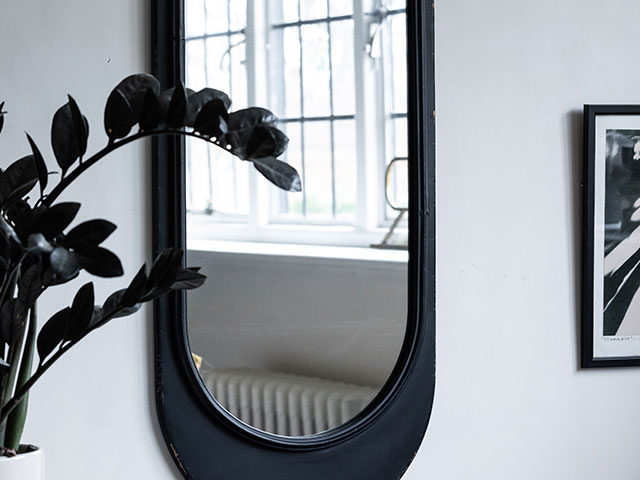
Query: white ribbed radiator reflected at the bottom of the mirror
286, 404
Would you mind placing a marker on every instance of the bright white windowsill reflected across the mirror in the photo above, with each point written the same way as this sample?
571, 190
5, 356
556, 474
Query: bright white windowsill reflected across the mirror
305, 251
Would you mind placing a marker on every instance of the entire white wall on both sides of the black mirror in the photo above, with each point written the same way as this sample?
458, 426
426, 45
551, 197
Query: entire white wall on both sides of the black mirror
510, 402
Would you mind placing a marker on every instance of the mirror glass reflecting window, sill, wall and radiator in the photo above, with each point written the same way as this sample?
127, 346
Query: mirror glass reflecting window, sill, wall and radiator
301, 321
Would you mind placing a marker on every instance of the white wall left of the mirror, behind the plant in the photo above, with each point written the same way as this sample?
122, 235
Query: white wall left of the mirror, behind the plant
94, 411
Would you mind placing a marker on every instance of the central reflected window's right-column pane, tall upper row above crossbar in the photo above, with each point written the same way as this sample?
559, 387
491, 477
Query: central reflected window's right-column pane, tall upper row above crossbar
343, 68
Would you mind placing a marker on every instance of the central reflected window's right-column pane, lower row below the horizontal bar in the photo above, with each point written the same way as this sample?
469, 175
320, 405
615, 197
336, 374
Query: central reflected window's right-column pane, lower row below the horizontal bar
346, 169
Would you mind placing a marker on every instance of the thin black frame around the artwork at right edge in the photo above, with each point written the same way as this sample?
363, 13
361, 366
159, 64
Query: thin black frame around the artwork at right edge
591, 112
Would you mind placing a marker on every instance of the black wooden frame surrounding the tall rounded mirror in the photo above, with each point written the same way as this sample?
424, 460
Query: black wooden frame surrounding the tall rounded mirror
204, 440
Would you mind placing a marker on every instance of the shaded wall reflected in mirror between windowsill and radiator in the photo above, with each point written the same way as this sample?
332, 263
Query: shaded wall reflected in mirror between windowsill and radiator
338, 319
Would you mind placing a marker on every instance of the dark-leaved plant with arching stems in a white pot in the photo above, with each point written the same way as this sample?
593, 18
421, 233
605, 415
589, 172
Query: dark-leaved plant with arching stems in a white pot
40, 249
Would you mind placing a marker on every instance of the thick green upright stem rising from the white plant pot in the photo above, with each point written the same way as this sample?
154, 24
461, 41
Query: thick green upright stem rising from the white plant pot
17, 419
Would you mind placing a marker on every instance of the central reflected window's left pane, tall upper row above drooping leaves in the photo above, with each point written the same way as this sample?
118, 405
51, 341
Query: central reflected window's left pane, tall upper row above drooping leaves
284, 60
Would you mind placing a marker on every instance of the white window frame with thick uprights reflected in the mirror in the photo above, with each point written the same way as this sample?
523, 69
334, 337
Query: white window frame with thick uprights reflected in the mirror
263, 223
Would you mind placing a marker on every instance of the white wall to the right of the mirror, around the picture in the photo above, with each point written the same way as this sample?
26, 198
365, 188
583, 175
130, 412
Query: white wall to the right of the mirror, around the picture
512, 76
